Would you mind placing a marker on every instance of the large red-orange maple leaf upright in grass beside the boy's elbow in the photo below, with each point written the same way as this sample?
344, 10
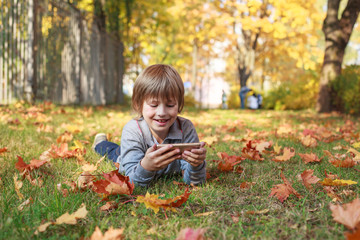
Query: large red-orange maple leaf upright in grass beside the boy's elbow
113, 184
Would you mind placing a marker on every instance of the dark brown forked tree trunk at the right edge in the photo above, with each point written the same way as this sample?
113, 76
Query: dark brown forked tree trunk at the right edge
337, 34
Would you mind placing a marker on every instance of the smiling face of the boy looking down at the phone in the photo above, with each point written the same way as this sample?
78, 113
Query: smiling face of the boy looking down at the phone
159, 115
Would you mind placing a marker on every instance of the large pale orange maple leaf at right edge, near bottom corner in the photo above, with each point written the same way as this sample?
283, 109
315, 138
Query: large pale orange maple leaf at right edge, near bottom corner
347, 214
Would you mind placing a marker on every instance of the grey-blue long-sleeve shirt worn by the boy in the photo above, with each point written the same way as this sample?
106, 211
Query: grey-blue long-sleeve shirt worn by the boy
136, 139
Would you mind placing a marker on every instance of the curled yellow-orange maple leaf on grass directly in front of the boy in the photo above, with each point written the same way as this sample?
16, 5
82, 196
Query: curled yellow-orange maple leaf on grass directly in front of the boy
152, 201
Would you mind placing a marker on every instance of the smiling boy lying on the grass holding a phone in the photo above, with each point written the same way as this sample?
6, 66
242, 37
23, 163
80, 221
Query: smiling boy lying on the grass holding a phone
158, 98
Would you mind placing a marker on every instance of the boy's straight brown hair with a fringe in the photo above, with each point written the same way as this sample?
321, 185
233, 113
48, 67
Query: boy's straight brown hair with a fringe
159, 81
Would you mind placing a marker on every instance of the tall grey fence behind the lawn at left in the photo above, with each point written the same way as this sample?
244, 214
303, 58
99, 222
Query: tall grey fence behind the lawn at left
50, 51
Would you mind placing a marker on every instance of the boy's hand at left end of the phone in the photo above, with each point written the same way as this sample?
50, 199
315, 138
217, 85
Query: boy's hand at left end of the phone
157, 159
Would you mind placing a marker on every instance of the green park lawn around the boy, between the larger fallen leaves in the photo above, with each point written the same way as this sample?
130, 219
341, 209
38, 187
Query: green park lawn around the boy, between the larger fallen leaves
221, 207
